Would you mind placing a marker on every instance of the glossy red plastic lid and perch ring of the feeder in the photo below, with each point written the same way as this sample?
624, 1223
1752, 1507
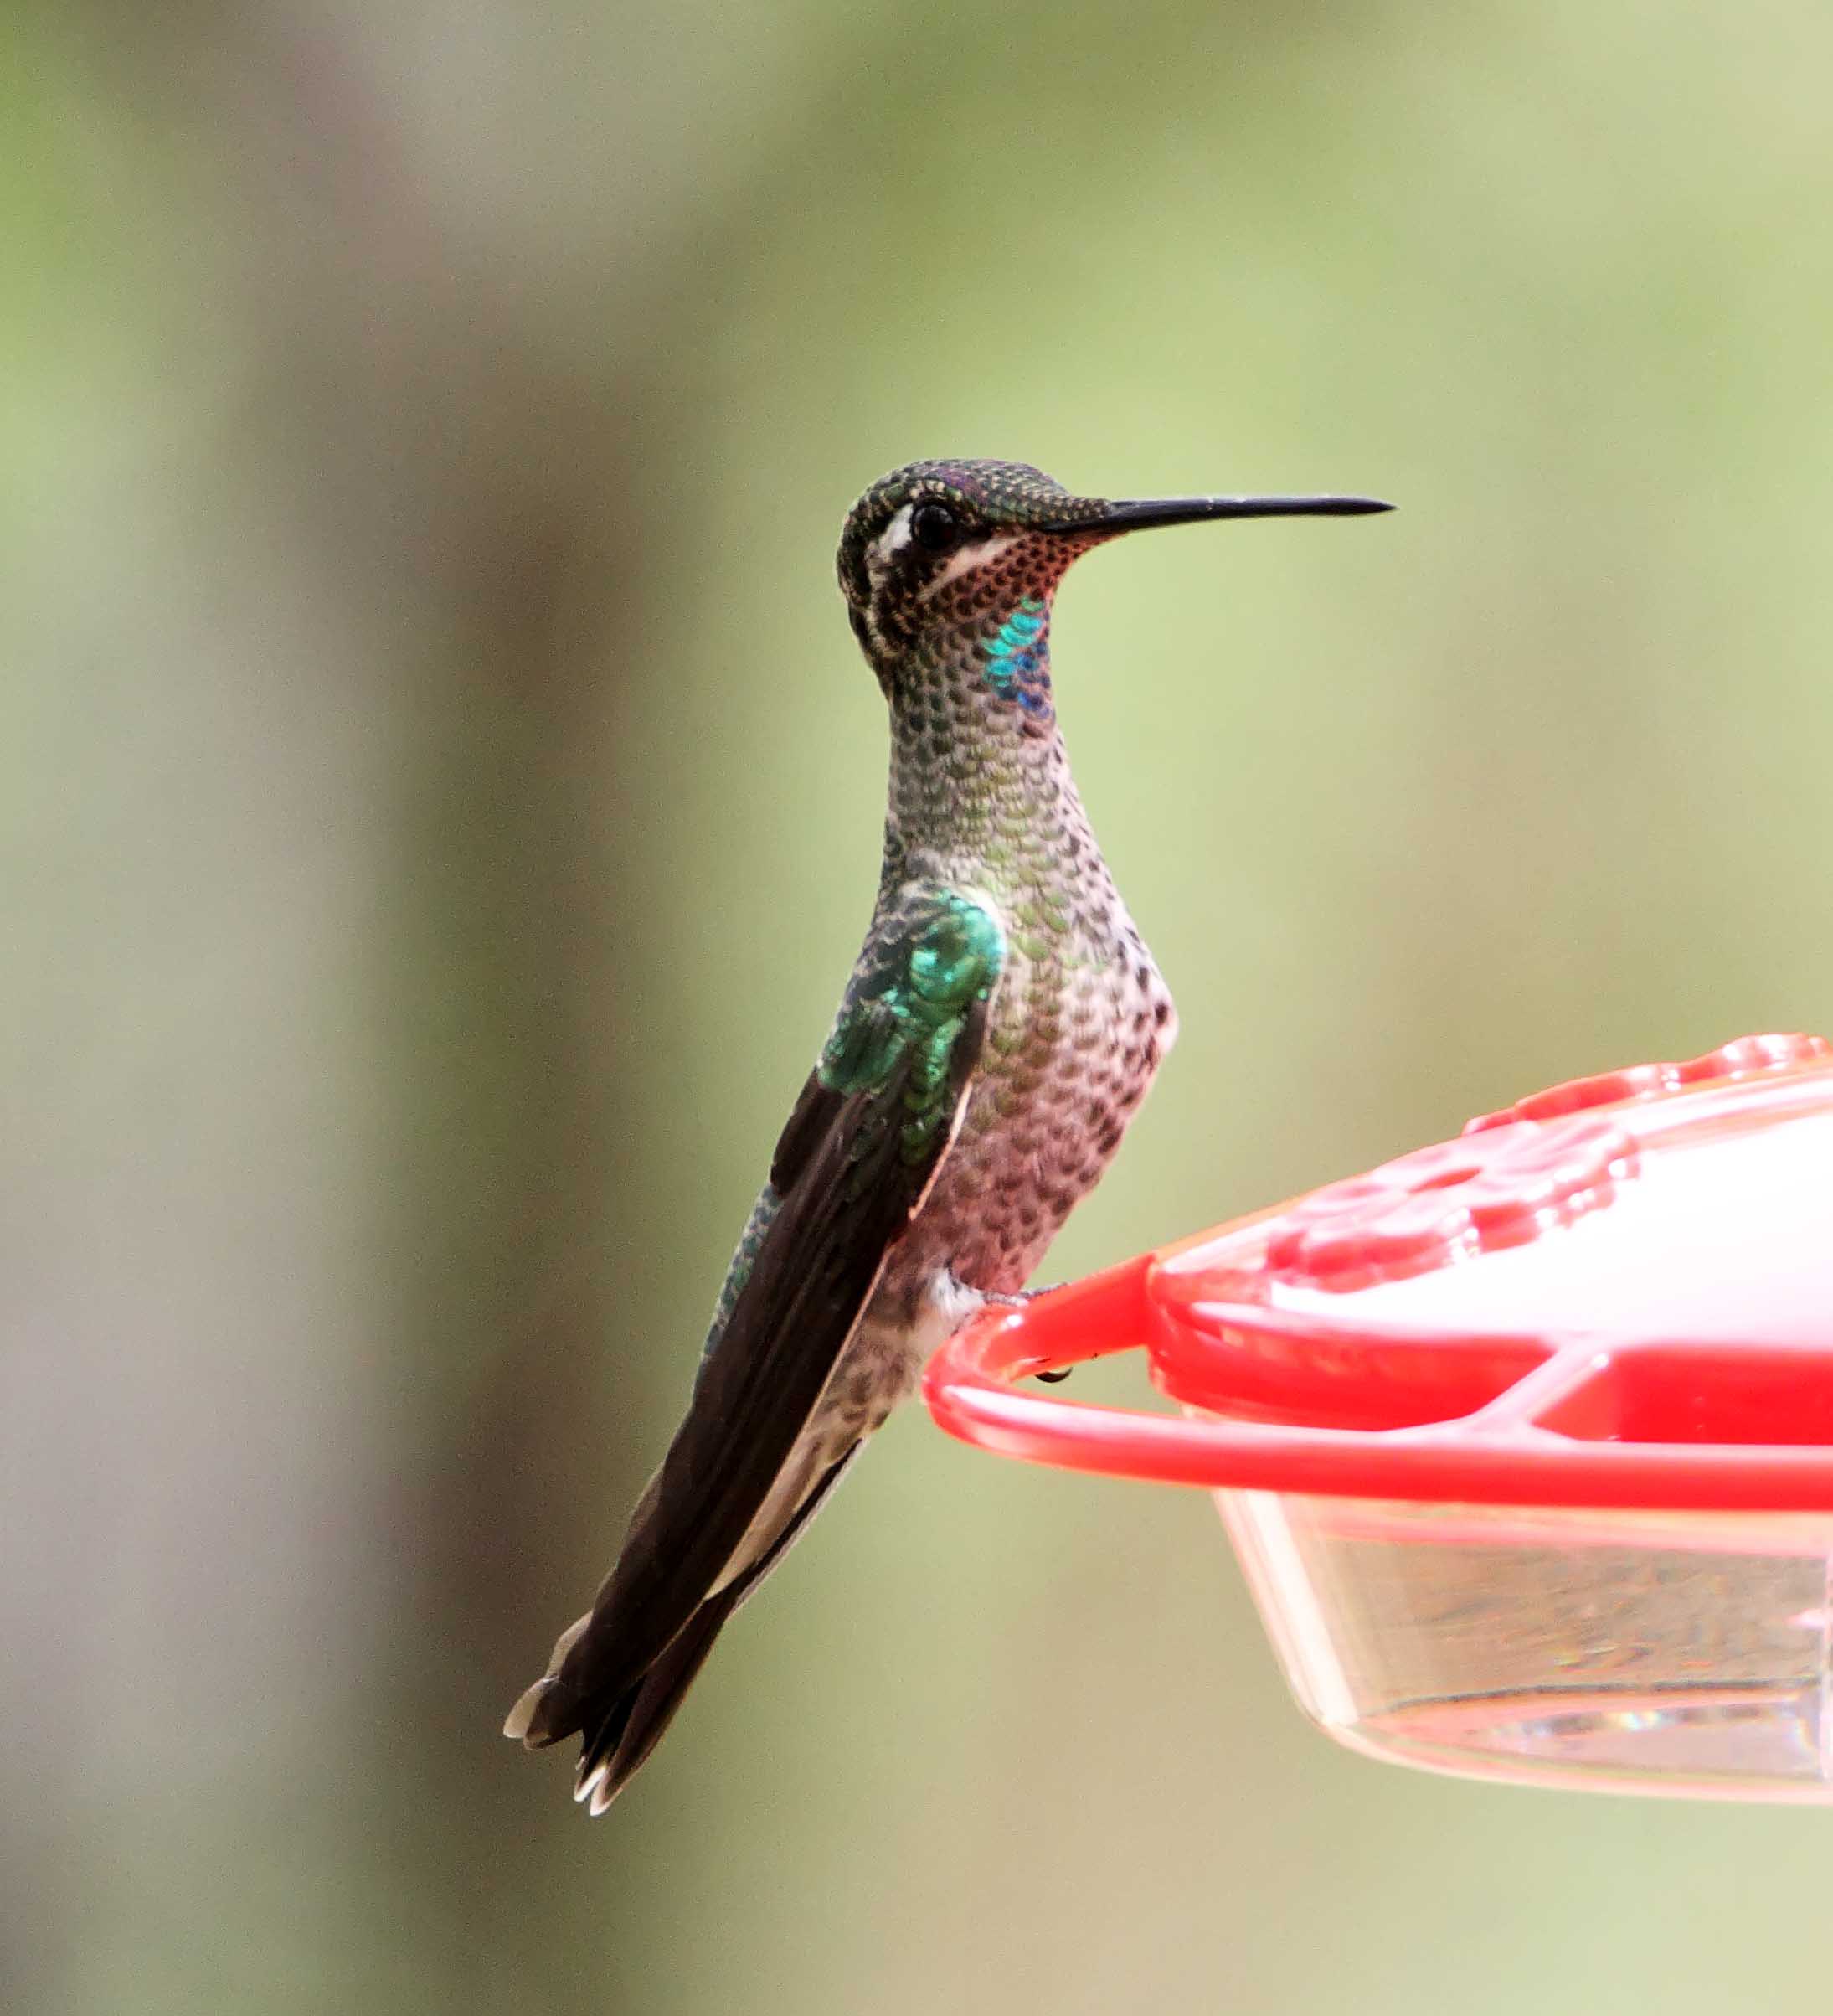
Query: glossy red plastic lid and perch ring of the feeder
1616, 1293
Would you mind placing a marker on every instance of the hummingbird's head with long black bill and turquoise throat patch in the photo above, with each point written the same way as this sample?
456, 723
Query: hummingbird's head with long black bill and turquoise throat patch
959, 559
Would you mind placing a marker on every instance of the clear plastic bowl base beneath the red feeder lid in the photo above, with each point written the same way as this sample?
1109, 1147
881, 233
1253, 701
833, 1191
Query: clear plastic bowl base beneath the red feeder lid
1626, 1652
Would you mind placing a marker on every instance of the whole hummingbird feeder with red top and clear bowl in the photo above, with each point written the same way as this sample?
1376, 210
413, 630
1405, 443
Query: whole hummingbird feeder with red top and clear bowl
1525, 1440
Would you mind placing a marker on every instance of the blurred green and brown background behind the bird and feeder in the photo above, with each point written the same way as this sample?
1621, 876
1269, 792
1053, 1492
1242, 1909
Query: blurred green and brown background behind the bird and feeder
443, 805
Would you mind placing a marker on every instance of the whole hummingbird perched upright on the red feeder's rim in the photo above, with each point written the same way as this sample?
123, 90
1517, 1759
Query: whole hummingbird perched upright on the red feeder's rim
1001, 1027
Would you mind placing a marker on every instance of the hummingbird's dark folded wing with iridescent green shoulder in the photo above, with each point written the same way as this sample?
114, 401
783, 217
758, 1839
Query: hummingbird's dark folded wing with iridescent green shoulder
852, 1168
